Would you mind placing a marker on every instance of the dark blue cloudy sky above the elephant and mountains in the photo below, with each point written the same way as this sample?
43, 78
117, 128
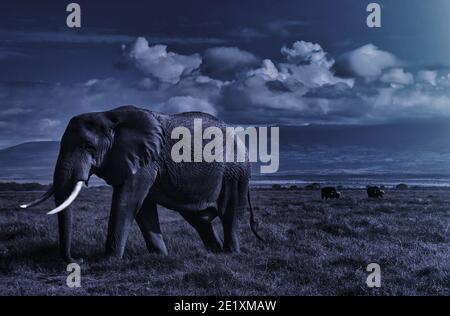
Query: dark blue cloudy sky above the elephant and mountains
248, 62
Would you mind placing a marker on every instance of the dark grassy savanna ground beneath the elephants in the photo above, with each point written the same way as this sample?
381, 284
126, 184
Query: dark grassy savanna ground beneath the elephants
313, 247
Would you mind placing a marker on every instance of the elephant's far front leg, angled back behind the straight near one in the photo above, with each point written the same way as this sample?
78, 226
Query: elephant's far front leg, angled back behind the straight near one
148, 222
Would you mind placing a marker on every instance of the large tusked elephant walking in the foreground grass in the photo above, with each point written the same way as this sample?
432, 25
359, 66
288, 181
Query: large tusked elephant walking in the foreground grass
130, 148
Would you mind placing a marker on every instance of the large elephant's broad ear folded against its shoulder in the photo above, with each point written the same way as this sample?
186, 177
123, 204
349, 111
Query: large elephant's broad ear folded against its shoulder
137, 141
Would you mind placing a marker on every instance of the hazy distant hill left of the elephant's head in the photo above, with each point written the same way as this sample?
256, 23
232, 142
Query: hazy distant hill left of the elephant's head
33, 161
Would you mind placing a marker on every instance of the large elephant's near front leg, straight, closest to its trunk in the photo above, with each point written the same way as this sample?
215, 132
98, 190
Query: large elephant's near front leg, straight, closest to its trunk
127, 200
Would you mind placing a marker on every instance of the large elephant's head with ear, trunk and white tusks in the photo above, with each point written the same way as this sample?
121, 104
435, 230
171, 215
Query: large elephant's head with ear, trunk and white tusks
112, 145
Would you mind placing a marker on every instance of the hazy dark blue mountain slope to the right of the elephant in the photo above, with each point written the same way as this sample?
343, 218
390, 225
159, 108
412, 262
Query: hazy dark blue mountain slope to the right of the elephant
414, 147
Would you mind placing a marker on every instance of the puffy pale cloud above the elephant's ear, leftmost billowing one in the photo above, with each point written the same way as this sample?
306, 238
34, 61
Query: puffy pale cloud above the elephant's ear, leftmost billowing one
156, 61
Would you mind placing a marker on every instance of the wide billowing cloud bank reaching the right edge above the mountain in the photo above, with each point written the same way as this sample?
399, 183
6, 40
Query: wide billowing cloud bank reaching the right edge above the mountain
304, 89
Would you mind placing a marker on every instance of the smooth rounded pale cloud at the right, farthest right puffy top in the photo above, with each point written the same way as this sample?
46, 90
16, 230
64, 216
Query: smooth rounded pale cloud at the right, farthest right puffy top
367, 61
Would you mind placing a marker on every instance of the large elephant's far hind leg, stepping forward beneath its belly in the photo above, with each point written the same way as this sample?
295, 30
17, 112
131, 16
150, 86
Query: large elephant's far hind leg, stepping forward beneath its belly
201, 221
